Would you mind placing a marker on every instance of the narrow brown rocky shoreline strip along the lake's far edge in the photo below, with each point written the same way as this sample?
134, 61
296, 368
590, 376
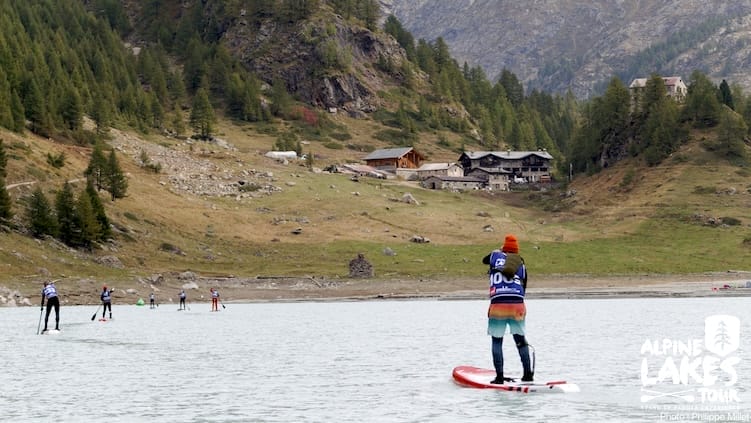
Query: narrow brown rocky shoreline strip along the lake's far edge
83, 291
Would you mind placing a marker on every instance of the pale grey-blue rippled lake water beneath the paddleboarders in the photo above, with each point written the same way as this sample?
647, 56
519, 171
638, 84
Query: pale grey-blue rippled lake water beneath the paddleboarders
377, 361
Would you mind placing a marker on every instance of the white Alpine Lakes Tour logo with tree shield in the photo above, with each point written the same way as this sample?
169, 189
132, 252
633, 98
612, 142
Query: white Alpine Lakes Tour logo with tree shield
695, 370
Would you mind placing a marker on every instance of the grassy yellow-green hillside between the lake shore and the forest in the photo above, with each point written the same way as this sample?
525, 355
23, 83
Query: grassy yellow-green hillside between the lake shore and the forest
627, 219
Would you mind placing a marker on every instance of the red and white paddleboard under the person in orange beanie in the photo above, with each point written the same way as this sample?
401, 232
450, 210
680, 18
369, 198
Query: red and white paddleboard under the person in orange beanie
475, 377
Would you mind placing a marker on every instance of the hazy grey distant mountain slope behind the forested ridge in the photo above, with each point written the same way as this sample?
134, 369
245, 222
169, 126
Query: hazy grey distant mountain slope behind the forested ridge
564, 44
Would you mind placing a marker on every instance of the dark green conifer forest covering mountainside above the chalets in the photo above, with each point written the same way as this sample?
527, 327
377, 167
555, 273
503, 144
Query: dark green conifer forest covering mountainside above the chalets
160, 66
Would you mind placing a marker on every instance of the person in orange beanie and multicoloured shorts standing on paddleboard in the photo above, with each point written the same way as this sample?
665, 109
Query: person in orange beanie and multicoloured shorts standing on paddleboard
508, 282
